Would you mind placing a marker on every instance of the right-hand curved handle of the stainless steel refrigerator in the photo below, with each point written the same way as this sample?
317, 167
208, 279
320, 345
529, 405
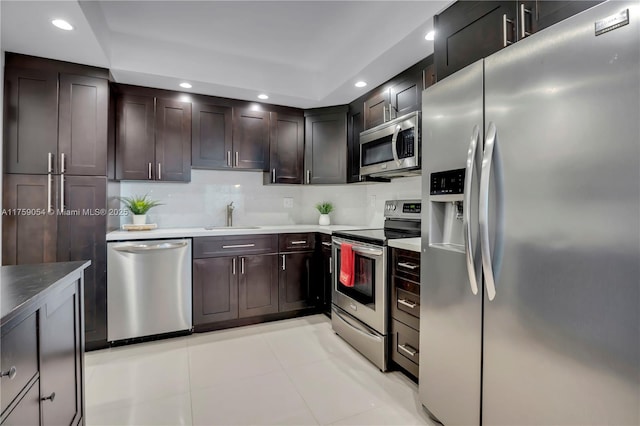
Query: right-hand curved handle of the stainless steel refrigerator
483, 216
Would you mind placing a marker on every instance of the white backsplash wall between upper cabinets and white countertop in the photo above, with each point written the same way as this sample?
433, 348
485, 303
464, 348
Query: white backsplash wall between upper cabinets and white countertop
202, 201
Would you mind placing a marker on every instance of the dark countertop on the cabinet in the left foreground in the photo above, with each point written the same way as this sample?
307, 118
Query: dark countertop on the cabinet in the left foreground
22, 286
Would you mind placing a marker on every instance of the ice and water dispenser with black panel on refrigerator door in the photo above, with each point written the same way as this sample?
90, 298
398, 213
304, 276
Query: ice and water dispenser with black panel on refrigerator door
446, 192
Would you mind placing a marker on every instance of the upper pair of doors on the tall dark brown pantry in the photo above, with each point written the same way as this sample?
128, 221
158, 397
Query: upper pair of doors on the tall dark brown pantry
55, 123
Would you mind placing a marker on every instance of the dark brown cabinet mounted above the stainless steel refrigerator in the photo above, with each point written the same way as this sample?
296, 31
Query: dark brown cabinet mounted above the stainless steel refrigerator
471, 30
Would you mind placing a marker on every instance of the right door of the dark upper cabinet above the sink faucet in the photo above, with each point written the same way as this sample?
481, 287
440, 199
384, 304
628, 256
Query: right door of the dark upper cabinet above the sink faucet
250, 139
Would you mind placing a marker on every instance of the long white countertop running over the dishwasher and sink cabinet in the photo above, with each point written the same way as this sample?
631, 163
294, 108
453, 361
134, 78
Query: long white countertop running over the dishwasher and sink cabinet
239, 230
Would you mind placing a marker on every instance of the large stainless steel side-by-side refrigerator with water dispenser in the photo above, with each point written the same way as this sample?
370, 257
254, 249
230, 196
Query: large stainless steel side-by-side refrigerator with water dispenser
530, 300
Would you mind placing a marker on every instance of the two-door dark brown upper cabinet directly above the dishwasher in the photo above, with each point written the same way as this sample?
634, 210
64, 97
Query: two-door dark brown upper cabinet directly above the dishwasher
153, 139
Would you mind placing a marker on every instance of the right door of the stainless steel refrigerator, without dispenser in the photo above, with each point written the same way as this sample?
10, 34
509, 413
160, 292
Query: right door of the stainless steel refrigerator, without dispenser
561, 335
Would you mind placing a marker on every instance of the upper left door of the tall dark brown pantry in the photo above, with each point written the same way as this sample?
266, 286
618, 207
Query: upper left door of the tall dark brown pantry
30, 120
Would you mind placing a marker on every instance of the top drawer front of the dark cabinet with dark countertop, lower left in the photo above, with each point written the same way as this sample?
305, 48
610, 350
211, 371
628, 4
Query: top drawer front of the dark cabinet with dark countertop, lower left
19, 359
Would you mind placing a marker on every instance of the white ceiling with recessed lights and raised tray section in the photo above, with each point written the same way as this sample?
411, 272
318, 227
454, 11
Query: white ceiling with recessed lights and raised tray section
302, 53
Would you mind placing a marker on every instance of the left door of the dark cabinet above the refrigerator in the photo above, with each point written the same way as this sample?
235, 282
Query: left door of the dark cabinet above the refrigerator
471, 30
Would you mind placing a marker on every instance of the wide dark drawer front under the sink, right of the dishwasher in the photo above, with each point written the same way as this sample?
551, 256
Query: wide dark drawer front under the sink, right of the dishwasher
204, 247
